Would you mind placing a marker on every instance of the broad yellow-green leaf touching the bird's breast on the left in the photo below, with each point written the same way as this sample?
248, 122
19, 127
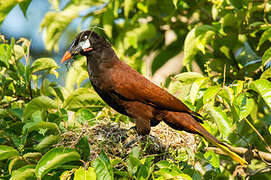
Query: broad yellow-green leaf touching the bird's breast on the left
82, 97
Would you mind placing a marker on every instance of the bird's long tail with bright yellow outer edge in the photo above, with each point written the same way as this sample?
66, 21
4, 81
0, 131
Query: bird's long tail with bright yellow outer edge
203, 132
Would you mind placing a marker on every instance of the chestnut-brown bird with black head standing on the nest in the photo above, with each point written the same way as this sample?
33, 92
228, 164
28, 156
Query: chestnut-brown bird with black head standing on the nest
130, 93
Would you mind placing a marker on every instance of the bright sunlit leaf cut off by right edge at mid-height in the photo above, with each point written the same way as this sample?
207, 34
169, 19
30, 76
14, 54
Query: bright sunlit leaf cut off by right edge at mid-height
263, 87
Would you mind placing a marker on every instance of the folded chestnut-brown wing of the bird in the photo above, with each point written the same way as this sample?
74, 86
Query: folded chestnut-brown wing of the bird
131, 85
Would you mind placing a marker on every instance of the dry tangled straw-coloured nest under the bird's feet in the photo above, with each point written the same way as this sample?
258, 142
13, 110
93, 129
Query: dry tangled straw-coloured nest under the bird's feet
111, 137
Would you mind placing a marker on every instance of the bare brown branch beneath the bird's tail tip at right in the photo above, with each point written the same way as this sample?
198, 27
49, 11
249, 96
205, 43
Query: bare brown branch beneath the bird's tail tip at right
242, 151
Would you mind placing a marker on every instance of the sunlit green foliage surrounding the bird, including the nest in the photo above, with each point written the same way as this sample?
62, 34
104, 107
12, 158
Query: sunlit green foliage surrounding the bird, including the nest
51, 131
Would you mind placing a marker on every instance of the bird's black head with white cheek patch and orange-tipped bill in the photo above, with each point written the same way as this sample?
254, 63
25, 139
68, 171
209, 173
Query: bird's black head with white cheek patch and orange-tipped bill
84, 43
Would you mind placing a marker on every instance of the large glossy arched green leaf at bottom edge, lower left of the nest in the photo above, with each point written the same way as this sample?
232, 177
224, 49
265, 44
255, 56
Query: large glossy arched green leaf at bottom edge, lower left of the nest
55, 158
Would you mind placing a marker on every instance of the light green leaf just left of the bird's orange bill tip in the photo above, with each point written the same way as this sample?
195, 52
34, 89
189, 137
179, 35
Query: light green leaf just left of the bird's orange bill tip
43, 64
